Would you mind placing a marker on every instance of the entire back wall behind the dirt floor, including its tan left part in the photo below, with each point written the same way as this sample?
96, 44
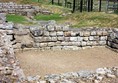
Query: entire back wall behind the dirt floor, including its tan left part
60, 37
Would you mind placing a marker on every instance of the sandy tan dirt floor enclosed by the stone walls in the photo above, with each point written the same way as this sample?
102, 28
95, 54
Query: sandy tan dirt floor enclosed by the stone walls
47, 62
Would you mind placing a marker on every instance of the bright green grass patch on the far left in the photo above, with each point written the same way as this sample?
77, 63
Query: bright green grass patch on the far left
15, 18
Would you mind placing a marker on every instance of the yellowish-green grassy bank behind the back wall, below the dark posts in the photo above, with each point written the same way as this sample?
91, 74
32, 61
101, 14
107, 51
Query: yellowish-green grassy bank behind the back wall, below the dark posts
93, 19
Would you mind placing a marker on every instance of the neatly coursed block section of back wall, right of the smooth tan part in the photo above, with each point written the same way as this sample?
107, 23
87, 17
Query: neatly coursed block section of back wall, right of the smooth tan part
58, 37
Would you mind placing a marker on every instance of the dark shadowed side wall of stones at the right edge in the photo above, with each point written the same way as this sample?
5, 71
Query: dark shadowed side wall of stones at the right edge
113, 39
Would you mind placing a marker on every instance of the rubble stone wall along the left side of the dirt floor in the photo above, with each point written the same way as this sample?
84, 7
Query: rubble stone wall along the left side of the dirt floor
10, 71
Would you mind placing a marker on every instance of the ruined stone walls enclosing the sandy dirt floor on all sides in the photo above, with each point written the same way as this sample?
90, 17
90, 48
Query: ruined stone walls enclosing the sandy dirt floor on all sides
52, 36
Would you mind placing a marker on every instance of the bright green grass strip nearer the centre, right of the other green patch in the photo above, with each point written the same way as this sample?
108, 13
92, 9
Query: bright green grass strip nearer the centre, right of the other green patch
48, 17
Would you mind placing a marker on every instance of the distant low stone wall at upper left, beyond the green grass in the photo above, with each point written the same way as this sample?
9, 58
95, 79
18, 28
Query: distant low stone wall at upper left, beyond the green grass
27, 10
